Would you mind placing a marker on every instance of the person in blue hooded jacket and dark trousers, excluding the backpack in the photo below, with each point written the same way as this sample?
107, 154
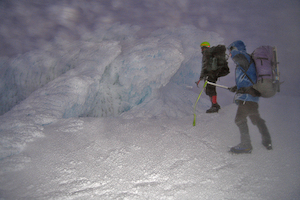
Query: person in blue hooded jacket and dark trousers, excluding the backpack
246, 98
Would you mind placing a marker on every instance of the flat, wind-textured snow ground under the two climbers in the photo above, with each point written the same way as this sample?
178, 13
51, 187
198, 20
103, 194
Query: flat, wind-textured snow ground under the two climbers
157, 158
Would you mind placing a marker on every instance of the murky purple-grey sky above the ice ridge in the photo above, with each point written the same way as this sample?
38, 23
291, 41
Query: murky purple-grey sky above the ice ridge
26, 25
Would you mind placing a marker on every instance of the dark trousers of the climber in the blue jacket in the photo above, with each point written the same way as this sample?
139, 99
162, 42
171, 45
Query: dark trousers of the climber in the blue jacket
250, 109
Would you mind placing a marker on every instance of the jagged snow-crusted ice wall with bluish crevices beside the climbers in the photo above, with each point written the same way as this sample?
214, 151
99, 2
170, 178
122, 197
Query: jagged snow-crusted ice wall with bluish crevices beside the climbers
104, 75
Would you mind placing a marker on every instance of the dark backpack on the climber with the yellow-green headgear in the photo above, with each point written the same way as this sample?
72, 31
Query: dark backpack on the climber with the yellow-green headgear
218, 60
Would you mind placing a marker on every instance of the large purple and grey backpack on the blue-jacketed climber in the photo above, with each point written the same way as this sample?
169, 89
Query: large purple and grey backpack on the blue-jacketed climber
267, 71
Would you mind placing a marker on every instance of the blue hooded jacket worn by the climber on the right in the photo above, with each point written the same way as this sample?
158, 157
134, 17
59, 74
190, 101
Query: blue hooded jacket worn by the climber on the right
242, 61
